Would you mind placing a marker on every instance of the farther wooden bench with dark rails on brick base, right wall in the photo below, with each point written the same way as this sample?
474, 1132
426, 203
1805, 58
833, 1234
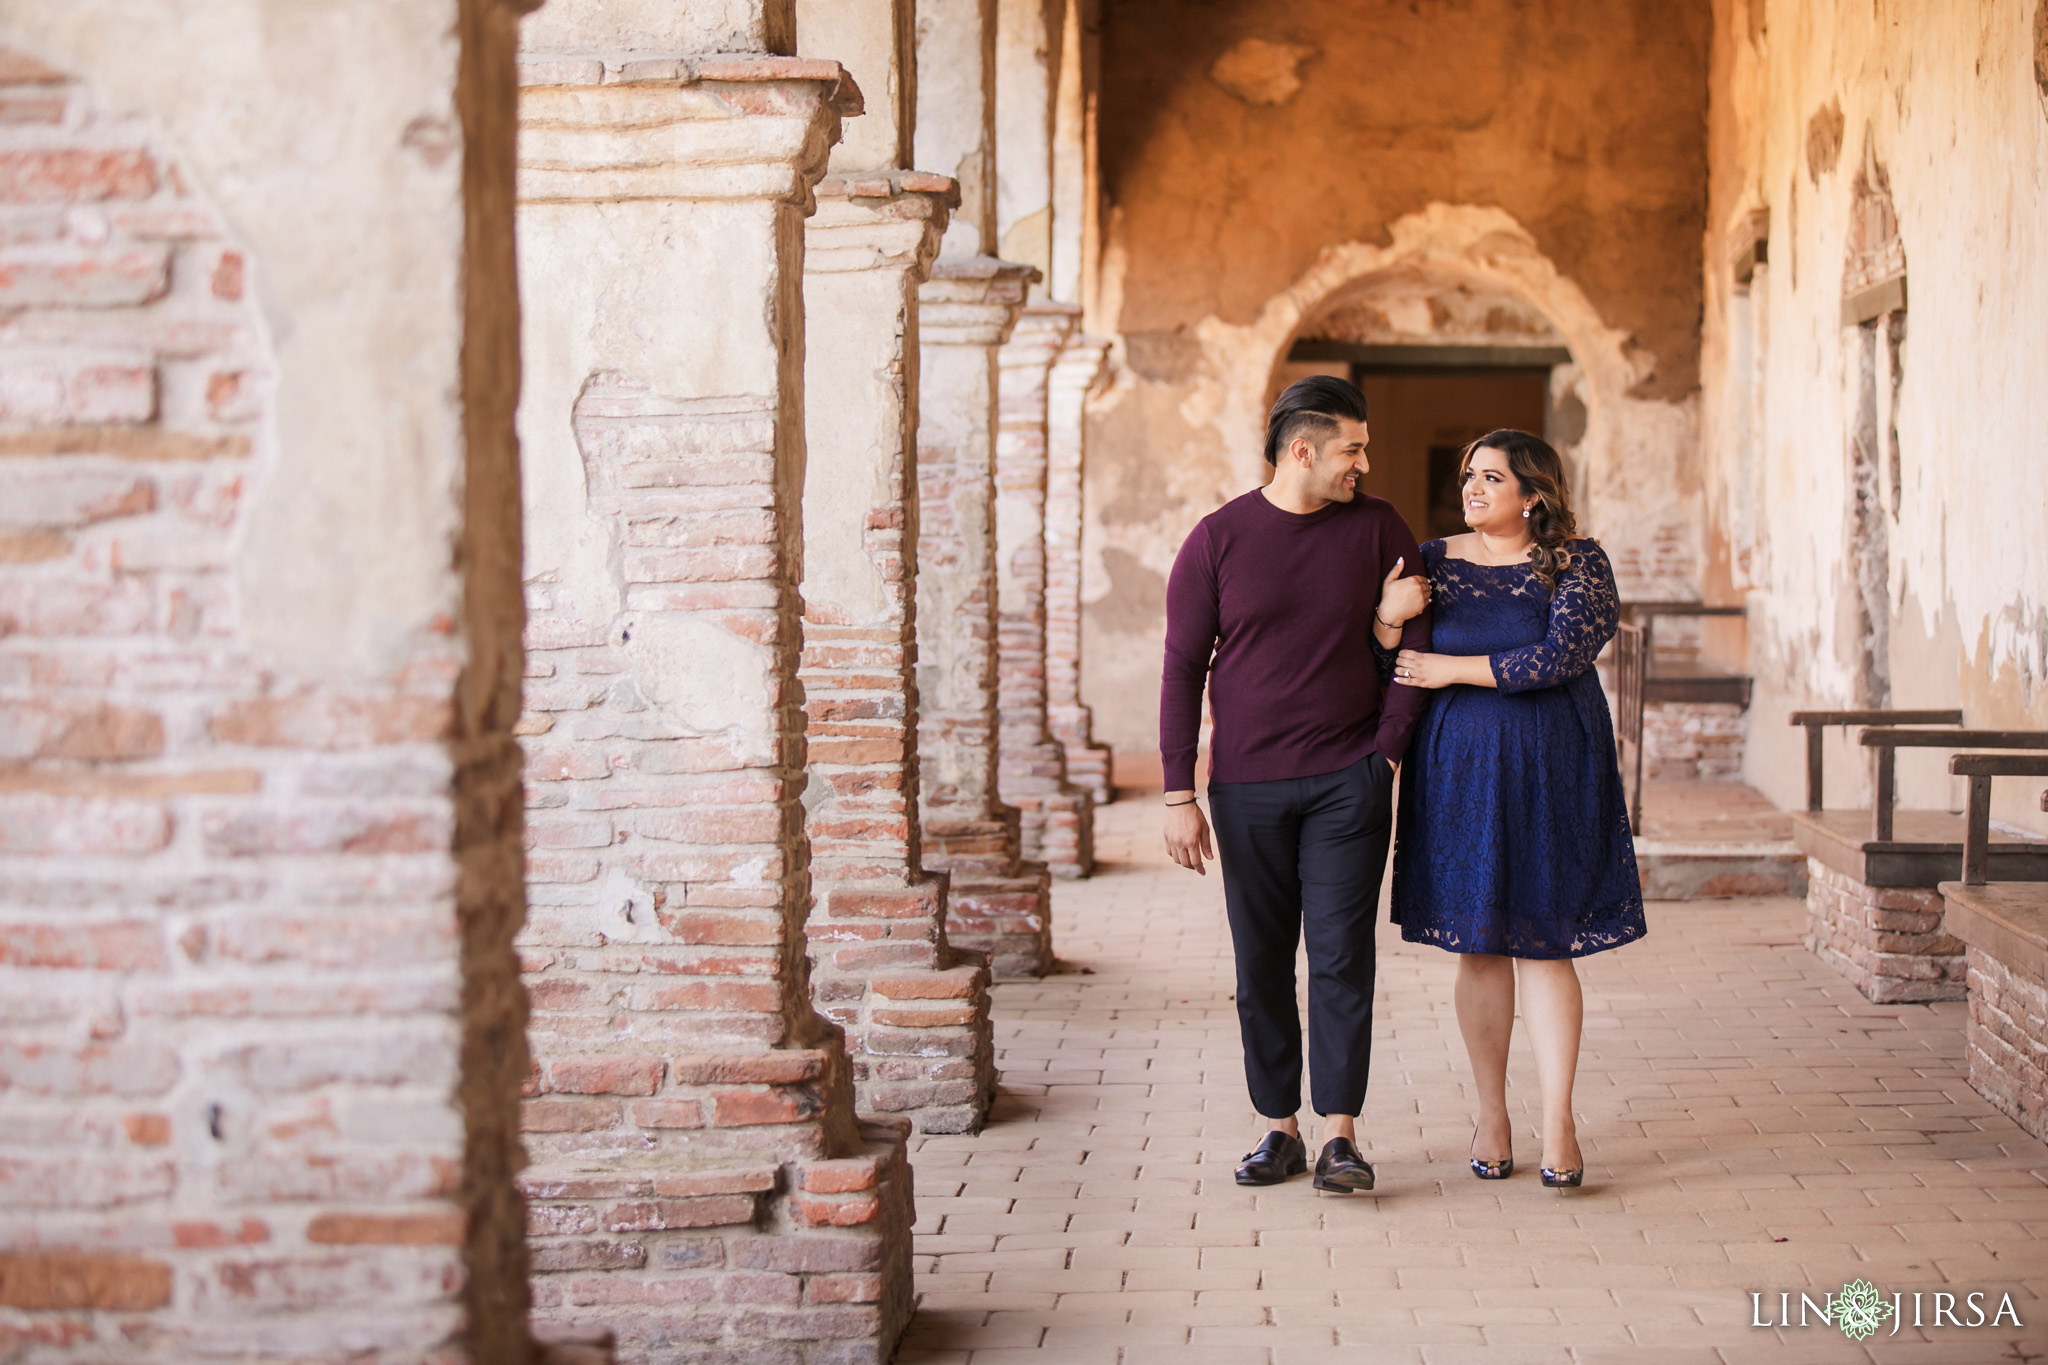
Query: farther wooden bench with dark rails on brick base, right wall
1873, 904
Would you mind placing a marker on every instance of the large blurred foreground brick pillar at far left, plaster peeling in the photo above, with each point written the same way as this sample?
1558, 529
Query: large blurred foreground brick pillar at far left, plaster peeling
259, 672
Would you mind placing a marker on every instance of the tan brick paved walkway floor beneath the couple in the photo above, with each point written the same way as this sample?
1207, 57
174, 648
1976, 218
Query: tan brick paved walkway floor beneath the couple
1750, 1122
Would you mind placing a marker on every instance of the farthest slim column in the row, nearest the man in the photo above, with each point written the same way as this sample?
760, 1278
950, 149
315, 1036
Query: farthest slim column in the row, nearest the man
1074, 376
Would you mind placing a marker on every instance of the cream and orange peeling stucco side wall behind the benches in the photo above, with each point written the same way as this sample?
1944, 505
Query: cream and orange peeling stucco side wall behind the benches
1816, 109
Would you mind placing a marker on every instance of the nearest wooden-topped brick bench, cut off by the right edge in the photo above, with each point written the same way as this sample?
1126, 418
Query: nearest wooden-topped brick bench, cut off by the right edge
2004, 928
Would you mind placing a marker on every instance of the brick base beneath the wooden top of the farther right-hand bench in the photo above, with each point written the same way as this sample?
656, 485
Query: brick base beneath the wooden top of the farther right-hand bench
1885, 940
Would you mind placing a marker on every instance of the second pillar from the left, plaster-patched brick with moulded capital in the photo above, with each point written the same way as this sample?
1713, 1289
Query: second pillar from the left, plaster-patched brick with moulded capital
699, 1180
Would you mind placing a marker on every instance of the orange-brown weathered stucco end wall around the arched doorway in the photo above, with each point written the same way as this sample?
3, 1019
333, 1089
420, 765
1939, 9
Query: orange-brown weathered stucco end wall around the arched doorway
1265, 165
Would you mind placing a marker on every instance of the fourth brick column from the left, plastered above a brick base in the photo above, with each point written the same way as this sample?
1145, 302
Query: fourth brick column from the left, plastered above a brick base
1000, 906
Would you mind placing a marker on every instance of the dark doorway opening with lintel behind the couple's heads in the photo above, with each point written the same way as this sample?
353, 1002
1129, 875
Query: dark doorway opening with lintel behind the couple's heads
1428, 404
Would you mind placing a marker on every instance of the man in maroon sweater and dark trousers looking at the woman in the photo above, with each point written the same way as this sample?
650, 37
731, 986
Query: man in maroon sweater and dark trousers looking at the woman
1277, 603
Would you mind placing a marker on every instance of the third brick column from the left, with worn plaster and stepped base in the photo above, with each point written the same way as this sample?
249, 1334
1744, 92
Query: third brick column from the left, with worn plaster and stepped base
916, 1010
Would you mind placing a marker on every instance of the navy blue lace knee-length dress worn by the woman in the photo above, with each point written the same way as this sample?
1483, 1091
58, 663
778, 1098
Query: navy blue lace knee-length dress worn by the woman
1514, 830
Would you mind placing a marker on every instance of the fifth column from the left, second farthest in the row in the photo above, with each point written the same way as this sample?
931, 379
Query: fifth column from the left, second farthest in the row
1056, 820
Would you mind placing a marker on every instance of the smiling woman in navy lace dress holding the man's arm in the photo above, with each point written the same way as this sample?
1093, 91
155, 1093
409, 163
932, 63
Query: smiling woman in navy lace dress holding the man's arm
1512, 846
